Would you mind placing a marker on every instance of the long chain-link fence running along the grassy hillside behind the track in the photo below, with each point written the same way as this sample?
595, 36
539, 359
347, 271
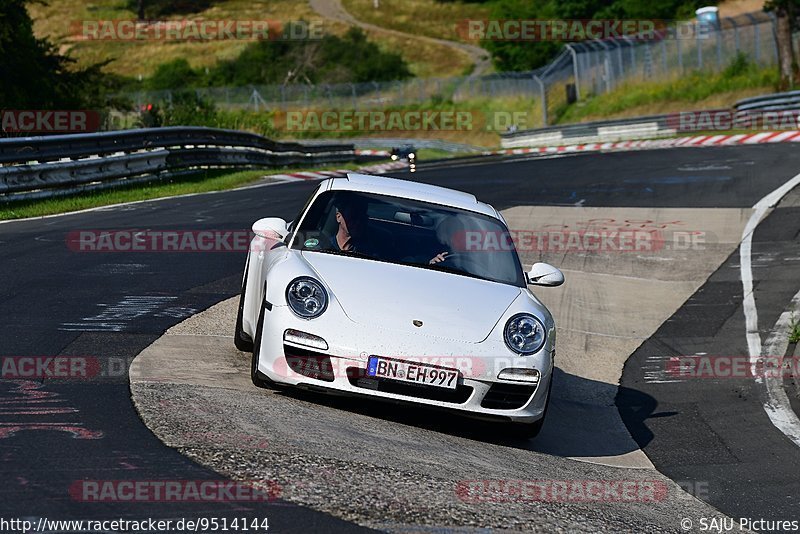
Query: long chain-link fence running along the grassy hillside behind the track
581, 70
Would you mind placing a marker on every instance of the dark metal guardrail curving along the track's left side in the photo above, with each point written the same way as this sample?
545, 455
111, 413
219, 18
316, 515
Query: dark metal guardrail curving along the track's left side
40, 167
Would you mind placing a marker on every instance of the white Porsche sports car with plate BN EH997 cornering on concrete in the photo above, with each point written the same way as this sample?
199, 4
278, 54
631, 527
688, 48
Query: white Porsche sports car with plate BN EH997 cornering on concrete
401, 291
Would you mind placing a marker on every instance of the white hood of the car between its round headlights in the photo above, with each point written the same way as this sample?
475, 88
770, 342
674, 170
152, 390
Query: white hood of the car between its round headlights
393, 296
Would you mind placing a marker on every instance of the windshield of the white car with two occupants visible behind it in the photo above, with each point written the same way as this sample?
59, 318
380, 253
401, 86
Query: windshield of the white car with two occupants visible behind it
410, 232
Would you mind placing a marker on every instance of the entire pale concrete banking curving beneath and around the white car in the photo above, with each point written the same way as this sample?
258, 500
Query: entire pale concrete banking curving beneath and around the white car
192, 389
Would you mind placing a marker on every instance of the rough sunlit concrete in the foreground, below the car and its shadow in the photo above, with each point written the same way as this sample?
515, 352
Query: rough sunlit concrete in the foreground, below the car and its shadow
382, 466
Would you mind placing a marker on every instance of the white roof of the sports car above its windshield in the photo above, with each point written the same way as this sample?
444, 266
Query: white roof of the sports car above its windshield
367, 183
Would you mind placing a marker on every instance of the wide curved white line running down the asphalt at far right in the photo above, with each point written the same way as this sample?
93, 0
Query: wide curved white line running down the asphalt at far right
777, 408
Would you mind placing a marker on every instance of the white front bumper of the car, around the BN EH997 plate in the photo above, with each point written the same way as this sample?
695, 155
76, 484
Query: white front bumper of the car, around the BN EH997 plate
341, 368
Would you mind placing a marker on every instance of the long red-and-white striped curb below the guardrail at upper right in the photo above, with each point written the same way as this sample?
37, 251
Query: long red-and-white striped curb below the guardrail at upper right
696, 141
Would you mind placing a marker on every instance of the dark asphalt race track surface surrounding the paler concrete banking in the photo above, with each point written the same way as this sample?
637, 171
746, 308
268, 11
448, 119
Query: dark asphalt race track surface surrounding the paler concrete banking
111, 306
